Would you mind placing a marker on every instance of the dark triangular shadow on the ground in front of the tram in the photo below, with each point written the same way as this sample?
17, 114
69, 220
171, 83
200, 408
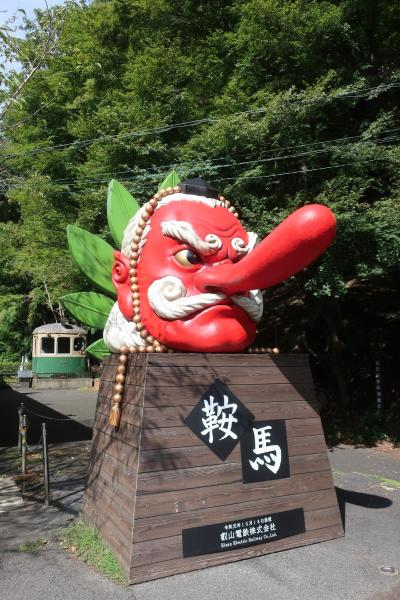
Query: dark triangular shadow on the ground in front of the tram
60, 427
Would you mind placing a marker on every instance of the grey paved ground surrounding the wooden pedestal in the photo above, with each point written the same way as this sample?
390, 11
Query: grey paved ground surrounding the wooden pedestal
368, 486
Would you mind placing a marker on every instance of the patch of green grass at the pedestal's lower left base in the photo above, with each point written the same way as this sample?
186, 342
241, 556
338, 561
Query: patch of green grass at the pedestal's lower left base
85, 542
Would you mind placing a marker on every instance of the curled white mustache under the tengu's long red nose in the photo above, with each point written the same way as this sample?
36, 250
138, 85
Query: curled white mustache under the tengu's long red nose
167, 297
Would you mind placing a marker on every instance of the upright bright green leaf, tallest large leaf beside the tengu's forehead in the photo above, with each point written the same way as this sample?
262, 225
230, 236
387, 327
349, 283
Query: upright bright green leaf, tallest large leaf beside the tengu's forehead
121, 207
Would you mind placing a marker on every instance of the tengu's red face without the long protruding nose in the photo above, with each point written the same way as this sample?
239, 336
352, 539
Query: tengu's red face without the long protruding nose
221, 325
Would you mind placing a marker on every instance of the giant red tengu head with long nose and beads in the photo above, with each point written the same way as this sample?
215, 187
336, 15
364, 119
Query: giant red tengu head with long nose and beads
189, 274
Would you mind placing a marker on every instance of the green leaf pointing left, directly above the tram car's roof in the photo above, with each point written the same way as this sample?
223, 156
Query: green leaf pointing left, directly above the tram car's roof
89, 308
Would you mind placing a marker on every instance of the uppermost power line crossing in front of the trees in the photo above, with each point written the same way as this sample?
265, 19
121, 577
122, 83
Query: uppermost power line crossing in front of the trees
364, 92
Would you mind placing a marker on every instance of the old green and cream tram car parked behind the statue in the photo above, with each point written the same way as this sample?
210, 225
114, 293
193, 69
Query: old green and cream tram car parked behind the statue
59, 351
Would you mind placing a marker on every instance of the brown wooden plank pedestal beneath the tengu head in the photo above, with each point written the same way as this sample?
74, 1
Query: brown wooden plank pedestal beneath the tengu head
153, 477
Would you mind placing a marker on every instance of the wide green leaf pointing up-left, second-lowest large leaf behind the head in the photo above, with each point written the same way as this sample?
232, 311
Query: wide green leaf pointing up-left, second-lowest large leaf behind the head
93, 256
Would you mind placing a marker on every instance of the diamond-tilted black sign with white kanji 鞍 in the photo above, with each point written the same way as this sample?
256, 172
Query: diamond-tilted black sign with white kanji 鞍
219, 419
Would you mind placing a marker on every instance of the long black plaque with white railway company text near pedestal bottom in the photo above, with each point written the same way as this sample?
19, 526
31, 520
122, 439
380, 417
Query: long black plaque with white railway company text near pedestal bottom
249, 531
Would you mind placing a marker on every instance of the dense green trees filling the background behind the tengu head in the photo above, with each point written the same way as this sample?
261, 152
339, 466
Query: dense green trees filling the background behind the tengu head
276, 103
